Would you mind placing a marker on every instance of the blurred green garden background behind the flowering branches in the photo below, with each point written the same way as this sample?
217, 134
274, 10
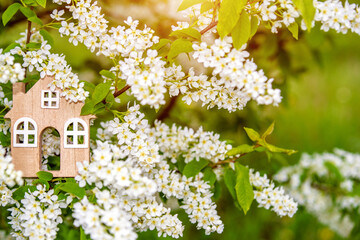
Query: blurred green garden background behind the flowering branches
320, 80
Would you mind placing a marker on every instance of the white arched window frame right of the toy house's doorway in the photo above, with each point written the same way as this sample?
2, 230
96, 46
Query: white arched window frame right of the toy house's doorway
75, 133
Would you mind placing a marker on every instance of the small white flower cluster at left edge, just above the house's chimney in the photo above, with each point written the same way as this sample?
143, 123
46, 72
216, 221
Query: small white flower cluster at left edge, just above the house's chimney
10, 71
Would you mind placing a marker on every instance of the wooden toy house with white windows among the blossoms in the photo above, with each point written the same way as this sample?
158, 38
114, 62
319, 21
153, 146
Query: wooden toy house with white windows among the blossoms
38, 109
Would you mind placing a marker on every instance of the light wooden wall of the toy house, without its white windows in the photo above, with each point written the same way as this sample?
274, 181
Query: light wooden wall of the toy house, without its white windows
28, 159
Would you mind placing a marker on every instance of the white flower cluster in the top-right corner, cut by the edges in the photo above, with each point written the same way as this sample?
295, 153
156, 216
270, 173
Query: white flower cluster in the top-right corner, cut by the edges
332, 14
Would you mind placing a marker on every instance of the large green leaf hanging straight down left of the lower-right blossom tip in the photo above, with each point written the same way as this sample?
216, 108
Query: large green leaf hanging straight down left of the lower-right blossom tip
243, 188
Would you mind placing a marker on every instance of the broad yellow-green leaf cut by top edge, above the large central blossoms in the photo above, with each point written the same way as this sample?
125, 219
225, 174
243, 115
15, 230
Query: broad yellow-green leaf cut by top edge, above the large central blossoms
229, 14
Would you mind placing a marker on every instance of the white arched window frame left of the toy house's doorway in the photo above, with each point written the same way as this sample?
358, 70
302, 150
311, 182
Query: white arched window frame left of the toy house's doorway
26, 132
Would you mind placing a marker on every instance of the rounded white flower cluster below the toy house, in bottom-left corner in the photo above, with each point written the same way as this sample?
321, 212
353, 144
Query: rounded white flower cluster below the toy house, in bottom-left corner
37, 215
